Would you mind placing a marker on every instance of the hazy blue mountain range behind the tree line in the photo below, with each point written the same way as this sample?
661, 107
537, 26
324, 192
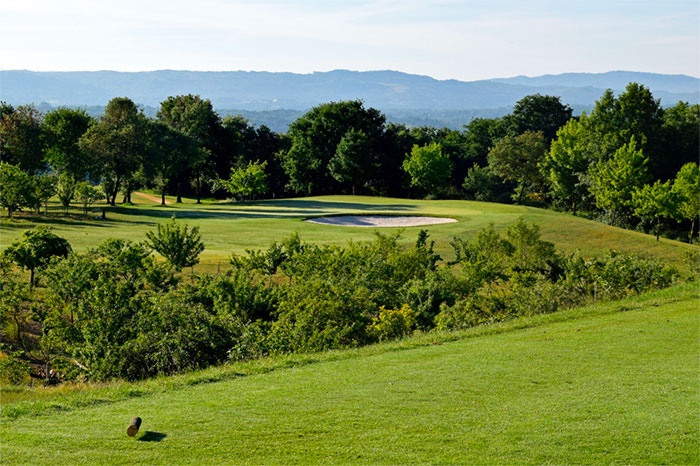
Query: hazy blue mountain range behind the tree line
277, 97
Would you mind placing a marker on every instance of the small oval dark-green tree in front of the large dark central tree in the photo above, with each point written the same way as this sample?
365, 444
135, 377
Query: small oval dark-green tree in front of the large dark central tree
353, 162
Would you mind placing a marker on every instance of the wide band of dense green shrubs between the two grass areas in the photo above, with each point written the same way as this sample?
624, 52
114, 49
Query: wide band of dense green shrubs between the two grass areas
116, 312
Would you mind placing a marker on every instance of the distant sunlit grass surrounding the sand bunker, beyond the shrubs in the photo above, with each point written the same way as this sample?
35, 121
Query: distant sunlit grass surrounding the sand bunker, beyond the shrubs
235, 227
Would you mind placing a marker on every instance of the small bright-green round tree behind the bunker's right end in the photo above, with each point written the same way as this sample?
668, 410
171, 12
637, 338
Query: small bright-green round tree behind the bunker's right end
430, 169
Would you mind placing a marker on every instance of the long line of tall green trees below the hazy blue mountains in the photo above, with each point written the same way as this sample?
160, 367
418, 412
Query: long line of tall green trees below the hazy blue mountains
630, 162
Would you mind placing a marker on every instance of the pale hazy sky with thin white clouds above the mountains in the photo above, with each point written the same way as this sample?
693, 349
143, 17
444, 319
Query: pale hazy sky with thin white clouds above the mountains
466, 40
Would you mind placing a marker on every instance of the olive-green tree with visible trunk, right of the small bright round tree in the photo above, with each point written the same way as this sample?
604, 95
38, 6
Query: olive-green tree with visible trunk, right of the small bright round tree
517, 159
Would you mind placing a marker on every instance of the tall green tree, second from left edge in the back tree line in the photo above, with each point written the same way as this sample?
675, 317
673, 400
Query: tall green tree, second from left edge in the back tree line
62, 129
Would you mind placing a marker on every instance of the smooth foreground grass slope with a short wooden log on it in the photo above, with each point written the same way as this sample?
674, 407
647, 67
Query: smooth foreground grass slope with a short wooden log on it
612, 383
